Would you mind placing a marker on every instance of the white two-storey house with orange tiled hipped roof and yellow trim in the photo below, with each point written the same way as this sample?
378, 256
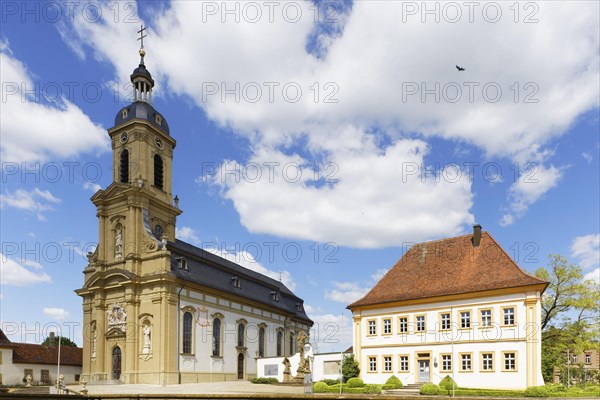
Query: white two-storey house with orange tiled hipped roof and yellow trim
459, 306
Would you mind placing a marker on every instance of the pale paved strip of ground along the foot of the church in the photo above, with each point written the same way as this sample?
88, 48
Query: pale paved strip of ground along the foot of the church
233, 387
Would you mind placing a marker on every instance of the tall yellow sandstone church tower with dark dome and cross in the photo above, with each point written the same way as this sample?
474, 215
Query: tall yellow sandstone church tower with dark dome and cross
127, 293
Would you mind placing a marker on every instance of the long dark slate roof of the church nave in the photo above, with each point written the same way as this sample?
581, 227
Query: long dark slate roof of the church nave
208, 269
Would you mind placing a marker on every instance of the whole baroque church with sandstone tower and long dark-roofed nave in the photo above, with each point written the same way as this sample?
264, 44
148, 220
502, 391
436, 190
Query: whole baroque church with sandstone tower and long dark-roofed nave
156, 309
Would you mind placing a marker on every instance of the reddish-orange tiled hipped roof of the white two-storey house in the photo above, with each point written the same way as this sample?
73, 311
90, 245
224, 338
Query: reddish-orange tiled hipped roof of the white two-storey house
448, 267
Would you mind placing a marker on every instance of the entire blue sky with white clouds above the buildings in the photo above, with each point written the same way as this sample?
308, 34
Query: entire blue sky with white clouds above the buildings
341, 108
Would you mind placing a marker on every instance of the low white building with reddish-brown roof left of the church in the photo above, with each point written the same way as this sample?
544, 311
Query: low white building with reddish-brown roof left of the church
18, 360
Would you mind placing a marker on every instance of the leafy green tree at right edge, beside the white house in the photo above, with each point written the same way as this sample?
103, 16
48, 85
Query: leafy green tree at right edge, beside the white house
570, 317
